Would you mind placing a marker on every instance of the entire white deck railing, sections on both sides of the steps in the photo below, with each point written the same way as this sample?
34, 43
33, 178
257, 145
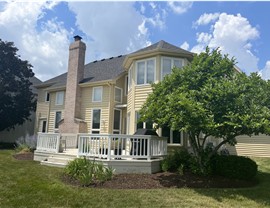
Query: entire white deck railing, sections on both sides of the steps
105, 146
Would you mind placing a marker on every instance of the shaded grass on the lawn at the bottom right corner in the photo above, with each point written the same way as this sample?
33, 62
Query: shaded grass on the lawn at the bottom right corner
259, 193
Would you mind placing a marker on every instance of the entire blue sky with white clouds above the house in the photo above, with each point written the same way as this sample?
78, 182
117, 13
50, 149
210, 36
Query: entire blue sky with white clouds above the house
42, 31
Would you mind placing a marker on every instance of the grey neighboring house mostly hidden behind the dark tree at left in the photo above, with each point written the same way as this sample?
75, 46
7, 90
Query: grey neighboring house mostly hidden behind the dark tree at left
27, 128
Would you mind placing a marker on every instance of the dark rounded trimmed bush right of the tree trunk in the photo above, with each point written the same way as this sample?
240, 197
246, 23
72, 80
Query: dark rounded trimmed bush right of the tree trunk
236, 167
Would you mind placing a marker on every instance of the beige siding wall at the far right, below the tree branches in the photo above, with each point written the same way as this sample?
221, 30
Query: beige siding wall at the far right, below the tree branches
255, 146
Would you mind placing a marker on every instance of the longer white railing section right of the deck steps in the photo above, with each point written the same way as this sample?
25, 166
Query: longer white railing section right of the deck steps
122, 146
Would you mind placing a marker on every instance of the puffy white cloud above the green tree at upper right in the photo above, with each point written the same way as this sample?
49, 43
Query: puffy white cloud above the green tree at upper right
233, 35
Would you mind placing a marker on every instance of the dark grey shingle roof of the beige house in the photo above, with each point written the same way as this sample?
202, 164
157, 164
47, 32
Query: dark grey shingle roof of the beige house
109, 69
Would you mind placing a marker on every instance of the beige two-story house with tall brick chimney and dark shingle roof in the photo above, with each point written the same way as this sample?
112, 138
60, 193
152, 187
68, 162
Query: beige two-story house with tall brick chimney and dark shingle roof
103, 98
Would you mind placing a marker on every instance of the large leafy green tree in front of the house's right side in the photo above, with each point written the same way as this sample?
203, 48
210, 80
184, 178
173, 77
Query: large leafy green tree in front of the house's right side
208, 98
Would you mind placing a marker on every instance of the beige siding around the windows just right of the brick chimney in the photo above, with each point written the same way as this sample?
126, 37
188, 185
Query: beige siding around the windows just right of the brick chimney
87, 105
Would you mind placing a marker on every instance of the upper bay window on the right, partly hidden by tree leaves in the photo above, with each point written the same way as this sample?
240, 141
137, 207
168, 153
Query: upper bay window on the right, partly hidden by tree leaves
167, 64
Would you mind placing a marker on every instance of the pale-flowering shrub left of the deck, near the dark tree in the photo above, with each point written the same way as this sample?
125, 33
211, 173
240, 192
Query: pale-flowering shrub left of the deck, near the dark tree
26, 144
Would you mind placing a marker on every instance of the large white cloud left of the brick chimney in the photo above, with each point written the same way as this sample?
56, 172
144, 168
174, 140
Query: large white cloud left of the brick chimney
47, 49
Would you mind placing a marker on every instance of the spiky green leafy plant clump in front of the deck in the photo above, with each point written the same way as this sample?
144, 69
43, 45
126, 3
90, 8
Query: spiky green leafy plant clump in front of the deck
88, 172
